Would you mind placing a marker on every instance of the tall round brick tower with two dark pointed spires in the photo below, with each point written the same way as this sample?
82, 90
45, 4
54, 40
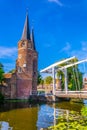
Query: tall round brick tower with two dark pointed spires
26, 64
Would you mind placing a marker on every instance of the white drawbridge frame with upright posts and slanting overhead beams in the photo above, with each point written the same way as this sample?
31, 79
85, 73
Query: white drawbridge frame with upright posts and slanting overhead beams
55, 67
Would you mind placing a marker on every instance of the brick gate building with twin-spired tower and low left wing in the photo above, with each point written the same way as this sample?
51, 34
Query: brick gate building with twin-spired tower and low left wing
23, 81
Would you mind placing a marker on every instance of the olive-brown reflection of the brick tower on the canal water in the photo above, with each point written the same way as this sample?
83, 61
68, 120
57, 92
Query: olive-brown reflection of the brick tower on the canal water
23, 118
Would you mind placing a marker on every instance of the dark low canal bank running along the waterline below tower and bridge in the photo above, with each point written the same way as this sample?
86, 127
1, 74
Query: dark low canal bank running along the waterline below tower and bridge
43, 99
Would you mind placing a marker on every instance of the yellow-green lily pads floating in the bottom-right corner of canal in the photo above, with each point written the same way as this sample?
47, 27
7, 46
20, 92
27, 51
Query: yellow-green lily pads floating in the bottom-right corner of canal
75, 121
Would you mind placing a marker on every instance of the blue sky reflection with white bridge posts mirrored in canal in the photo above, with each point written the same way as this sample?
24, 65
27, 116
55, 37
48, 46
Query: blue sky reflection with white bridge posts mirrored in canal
48, 116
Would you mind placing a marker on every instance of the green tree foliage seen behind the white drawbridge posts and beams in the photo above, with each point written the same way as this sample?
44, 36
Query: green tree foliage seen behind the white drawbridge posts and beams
74, 76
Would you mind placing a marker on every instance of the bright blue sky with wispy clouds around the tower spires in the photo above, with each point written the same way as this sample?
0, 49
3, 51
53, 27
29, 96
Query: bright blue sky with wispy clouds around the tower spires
60, 28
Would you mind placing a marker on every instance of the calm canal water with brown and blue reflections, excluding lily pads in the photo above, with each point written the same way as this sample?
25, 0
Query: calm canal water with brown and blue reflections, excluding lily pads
24, 116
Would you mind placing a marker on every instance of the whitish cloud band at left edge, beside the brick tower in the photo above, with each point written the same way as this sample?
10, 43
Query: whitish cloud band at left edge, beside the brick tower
7, 52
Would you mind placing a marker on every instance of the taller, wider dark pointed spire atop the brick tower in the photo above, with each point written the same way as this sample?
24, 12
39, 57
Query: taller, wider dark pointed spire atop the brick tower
26, 31
